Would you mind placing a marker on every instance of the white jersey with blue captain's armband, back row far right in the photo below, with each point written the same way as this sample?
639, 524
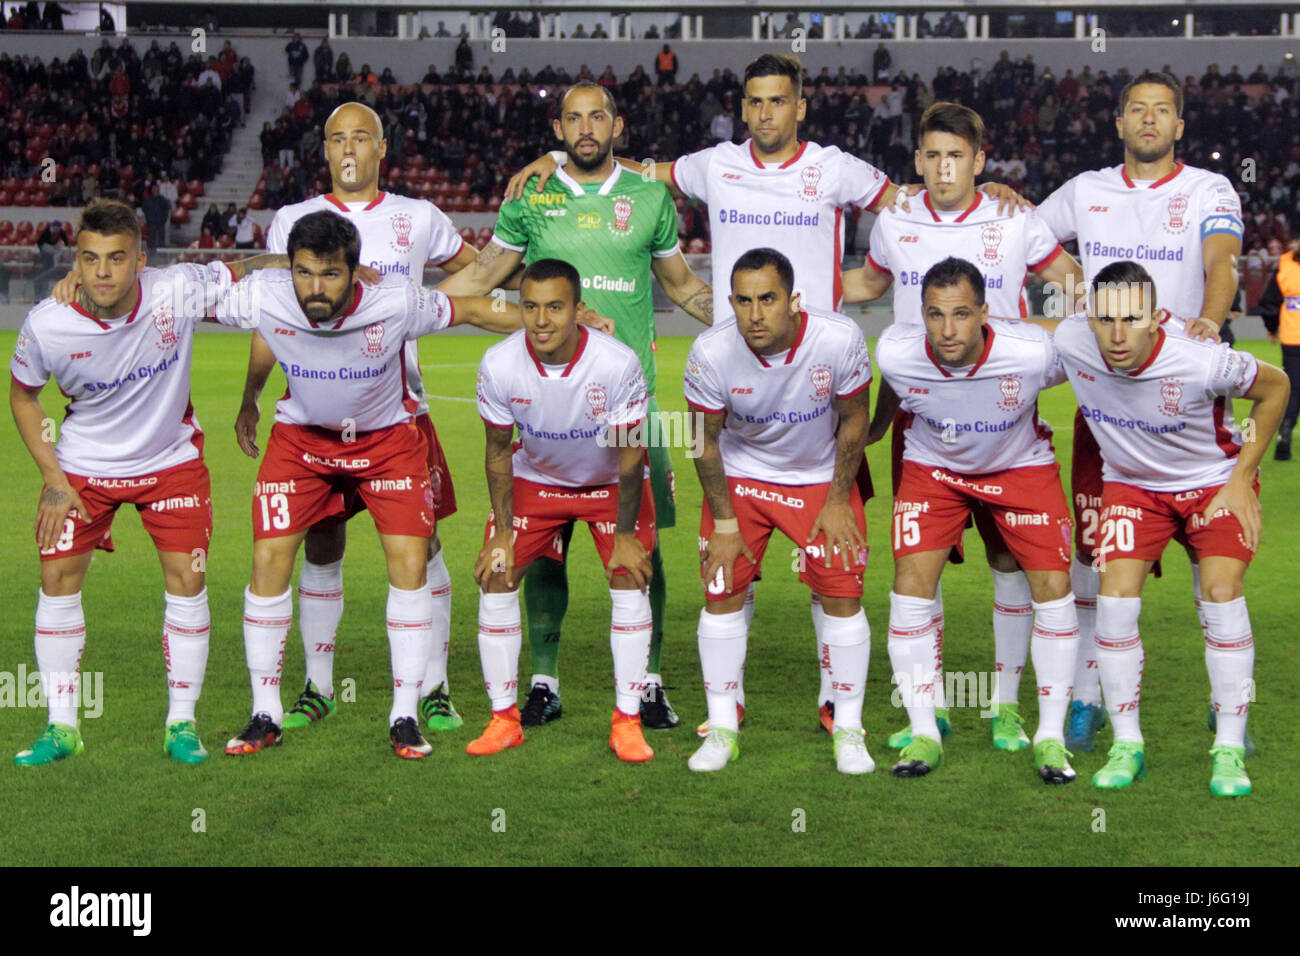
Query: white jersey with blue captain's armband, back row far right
1160, 226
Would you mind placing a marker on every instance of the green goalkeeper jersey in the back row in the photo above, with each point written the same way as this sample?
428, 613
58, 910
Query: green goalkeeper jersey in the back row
609, 232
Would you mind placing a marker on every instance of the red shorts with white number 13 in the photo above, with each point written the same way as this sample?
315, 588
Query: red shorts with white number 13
310, 474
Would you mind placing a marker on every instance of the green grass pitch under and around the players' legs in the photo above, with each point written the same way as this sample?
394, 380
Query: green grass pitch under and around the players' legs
336, 794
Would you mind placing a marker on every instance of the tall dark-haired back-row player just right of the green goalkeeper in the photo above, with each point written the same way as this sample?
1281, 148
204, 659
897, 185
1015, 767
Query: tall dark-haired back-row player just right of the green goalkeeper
782, 192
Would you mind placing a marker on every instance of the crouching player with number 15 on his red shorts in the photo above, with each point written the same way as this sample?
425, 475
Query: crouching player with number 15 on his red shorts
973, 445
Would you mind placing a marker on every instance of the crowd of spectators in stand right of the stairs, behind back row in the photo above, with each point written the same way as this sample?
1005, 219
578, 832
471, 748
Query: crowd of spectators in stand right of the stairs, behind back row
478, 129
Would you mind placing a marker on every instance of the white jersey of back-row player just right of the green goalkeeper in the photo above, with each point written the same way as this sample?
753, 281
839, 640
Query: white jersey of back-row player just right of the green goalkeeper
796, 209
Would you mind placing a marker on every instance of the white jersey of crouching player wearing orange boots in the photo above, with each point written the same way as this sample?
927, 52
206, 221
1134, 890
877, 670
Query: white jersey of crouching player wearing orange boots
564, 413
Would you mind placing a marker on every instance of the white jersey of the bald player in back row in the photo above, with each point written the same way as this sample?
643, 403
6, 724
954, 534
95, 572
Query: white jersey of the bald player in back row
398, 236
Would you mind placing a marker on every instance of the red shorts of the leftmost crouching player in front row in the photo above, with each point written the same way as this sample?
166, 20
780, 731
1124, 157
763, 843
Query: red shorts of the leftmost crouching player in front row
175, 505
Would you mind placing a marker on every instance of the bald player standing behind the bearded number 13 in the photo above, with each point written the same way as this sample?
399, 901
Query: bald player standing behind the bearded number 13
398, 237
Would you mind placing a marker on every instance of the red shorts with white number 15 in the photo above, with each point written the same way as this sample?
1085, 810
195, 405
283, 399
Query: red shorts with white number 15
1021, 511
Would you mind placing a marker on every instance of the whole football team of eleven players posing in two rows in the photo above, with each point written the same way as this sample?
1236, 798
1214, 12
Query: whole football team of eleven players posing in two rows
782, 400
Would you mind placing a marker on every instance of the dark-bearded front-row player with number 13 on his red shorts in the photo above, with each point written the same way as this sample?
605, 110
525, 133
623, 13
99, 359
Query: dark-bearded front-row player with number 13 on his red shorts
345, 426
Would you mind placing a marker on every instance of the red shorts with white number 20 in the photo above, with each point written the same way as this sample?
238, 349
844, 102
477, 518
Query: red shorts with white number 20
1137, 524
